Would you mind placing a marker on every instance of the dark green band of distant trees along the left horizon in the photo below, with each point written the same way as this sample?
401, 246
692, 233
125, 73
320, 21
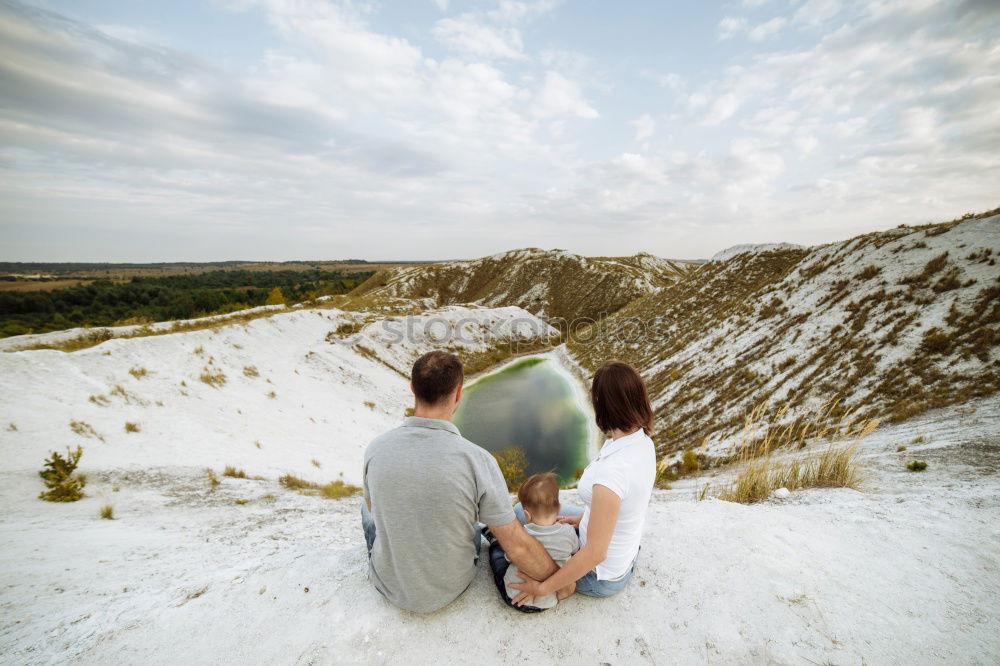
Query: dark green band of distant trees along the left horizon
106, 303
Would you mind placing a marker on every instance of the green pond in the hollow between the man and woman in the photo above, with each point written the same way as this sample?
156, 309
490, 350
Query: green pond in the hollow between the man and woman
530, 404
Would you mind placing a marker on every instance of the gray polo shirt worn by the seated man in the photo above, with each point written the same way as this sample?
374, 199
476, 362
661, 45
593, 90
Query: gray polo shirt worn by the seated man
428, 487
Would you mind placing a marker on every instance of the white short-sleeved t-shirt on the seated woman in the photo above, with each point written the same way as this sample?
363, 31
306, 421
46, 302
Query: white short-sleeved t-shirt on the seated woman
627, 467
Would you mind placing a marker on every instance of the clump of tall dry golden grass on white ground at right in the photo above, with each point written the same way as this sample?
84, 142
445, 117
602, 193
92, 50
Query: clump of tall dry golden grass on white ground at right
761, 472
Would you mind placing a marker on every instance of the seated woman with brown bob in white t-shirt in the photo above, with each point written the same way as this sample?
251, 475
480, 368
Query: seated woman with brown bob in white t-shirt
615, 489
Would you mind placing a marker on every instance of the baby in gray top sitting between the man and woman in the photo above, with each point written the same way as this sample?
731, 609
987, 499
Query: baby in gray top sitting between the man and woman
539, 497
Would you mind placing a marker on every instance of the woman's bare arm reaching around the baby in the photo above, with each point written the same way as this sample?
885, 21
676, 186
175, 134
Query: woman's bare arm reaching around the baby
603, 518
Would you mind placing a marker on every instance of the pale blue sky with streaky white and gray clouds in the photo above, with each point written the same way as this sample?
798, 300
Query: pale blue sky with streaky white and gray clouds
444, 129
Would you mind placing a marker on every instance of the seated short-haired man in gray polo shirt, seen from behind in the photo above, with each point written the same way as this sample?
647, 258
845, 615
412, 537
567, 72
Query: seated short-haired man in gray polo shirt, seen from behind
426, 488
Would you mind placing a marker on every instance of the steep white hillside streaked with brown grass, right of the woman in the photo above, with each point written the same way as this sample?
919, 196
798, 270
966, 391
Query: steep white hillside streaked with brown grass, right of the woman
892, 323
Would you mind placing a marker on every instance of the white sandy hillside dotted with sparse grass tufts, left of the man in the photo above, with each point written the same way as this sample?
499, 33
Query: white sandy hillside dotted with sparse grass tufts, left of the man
269, 395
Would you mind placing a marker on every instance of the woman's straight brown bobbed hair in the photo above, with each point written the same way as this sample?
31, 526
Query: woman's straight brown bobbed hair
620, 399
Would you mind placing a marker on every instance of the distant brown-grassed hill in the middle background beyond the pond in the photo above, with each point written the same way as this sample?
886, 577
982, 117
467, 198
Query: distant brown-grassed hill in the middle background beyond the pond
551, 284
